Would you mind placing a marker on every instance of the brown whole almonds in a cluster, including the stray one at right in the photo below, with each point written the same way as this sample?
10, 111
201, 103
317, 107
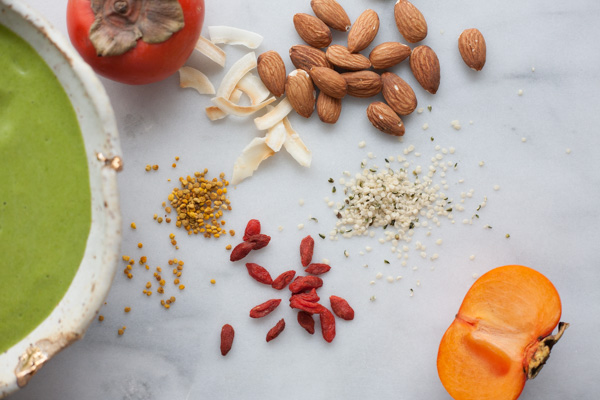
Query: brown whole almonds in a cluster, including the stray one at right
338, 70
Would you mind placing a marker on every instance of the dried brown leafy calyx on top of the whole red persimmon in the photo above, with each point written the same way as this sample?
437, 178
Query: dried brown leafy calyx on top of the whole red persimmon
119, 24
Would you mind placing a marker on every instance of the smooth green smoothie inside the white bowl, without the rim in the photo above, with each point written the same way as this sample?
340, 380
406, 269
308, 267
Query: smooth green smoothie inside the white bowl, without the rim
45, 205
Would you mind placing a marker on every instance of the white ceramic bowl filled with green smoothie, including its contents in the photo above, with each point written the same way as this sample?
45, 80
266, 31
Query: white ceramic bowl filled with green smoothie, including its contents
60, 223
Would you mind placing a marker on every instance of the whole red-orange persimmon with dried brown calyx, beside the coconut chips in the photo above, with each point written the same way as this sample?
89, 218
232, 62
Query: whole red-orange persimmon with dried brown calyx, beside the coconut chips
135, 41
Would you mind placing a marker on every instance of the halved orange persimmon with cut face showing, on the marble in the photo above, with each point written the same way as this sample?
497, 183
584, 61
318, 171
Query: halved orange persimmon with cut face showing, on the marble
501, 335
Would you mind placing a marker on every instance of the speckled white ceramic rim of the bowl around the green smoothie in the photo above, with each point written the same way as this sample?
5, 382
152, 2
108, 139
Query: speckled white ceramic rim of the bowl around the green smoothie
70, 319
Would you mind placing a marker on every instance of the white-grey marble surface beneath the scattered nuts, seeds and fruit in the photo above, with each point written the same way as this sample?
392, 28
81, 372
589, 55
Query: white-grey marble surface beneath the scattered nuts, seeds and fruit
547, 201
